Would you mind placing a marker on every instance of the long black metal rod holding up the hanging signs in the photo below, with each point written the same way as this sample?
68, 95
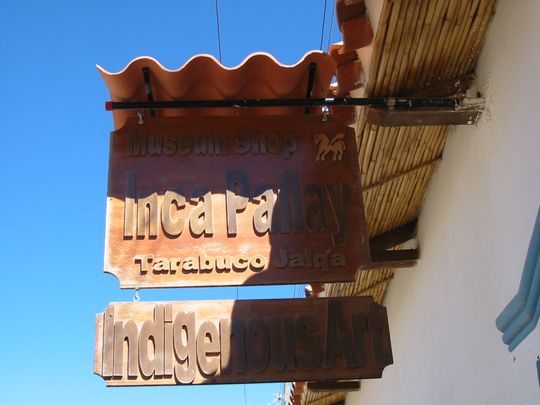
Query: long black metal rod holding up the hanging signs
396, 102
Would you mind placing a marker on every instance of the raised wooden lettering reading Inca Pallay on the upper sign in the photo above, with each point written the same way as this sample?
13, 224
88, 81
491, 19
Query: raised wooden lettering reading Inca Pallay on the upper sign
143, 214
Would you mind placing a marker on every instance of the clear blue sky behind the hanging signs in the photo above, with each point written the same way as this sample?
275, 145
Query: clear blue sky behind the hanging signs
54, 150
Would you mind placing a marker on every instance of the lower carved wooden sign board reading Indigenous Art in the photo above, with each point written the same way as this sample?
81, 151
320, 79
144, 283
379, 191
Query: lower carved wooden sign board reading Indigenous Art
205, 342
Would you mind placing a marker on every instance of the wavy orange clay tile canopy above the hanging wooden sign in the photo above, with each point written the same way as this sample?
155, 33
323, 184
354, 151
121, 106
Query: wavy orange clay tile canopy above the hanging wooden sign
260, 75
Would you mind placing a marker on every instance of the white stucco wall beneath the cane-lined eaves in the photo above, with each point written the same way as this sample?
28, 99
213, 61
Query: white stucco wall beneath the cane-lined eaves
474, 232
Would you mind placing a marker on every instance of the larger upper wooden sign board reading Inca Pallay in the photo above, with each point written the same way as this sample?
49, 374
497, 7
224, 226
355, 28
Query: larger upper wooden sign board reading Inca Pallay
229, 201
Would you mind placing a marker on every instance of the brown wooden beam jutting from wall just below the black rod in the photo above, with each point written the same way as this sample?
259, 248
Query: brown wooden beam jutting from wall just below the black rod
426, 116
